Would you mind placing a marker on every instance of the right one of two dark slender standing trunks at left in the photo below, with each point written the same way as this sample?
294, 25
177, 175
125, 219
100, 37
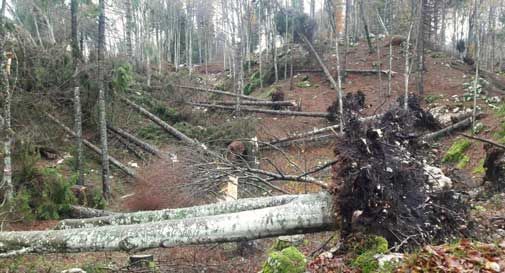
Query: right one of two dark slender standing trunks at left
106, 187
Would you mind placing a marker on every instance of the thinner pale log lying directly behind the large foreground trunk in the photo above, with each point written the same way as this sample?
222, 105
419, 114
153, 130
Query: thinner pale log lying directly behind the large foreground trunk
142, 217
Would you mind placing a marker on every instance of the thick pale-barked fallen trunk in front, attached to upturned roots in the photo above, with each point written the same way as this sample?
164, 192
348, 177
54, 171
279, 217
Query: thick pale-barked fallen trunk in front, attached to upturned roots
308, 213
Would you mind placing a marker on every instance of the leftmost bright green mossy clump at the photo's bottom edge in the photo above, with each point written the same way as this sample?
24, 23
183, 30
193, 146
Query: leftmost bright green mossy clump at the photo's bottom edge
288, 260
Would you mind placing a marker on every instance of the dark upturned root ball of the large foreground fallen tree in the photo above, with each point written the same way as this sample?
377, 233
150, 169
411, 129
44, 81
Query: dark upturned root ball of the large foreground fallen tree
385, 189
